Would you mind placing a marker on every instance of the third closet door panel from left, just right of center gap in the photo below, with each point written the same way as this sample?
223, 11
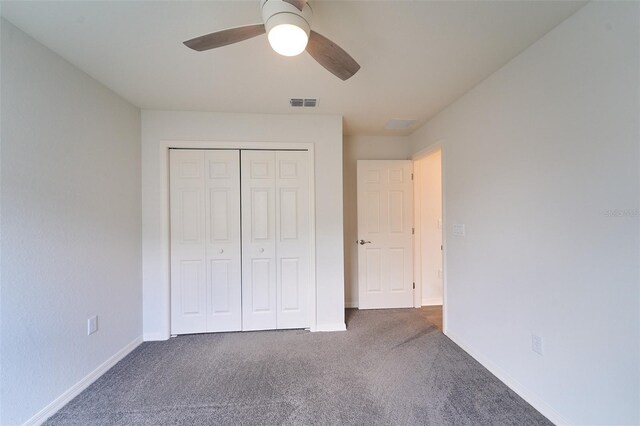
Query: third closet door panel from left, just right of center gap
259, 307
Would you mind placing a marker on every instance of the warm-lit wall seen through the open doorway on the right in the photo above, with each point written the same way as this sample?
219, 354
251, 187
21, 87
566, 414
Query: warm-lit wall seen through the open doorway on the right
429, 203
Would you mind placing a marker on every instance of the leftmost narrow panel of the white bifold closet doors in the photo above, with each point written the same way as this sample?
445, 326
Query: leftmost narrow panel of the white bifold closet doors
188, 262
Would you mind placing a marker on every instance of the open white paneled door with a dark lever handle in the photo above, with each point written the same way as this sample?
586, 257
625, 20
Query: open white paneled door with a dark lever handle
385, 221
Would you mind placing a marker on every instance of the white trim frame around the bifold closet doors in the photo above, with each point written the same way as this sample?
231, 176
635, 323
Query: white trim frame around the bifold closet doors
165, 146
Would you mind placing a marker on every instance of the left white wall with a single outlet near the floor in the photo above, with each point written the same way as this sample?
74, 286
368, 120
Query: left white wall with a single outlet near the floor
71, 225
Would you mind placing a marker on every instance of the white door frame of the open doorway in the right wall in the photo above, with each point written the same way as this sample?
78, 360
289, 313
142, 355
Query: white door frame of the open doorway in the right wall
417, 247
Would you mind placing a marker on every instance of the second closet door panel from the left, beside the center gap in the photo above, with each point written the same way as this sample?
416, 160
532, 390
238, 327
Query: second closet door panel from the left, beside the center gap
223, 246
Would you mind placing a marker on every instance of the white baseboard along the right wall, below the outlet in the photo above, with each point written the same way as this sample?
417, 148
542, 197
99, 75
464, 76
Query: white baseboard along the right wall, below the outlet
532, 398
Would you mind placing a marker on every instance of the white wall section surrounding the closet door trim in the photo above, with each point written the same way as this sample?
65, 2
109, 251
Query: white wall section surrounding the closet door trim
325, 132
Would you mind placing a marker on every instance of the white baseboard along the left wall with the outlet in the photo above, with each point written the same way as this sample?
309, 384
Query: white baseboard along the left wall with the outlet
48, 411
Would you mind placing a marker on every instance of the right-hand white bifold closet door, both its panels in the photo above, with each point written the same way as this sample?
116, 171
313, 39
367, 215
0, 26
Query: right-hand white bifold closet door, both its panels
275, 239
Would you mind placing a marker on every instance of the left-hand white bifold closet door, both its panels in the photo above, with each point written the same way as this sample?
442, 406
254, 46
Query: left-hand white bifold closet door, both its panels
205, 241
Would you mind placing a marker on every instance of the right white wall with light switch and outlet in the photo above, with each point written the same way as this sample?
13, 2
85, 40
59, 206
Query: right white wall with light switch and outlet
534, 158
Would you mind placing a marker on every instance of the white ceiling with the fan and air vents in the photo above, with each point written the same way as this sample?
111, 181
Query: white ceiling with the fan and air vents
416, 56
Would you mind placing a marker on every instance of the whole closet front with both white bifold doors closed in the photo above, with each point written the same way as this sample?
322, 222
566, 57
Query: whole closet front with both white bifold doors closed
240, 240
